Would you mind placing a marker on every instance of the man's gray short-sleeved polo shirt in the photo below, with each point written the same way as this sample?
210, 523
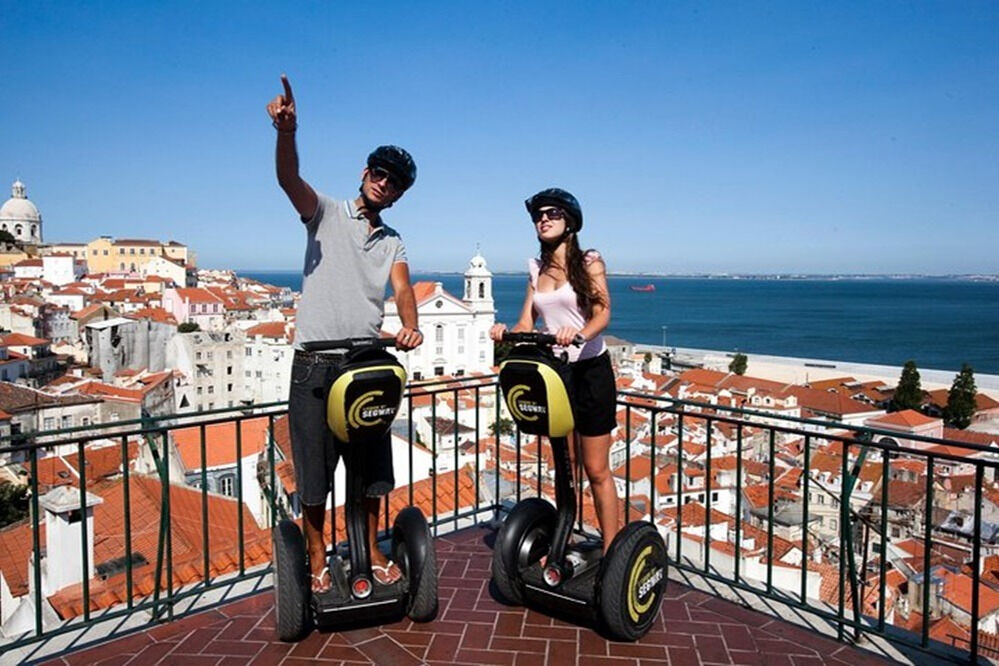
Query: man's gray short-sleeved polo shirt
346, 270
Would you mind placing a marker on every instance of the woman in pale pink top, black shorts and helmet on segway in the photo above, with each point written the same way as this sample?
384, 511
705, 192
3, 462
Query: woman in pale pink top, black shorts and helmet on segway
568, 290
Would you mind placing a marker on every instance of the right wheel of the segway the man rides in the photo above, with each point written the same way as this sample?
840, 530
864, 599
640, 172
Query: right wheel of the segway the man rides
413, 551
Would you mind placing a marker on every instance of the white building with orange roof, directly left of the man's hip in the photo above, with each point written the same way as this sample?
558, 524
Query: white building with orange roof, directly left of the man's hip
267, 362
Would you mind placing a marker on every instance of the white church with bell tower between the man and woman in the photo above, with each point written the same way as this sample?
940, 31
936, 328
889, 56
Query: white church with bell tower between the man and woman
455, 331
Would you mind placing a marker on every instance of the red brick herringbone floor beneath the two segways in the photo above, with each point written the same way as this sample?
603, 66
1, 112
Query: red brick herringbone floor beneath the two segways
473, 628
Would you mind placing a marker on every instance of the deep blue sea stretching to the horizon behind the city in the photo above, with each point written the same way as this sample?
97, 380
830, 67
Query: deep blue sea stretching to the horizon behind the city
938, 323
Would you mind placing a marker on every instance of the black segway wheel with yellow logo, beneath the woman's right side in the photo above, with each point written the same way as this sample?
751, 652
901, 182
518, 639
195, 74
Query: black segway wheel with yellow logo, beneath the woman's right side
632, 577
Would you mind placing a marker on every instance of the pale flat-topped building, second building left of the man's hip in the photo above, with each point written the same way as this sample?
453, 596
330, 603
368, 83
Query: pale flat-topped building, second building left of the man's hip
212, 365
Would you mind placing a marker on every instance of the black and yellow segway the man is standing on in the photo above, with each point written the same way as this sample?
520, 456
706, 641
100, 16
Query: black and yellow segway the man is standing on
362, 402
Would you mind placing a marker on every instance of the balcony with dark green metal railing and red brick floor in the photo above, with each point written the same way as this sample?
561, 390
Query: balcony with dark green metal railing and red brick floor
785, 547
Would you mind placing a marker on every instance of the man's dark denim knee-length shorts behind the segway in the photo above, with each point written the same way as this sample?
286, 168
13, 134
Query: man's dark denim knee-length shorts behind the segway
315, 450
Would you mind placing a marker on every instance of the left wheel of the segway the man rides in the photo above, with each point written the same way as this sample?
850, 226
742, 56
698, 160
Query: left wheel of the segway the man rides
291, 576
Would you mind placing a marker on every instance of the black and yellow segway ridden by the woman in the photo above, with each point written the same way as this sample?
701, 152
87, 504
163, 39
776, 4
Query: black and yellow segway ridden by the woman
622, 591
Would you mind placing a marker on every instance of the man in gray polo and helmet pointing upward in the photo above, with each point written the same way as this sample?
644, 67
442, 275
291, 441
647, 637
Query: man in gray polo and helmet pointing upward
349, 257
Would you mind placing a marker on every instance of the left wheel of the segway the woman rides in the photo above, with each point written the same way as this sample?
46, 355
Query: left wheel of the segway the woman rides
523, 539
